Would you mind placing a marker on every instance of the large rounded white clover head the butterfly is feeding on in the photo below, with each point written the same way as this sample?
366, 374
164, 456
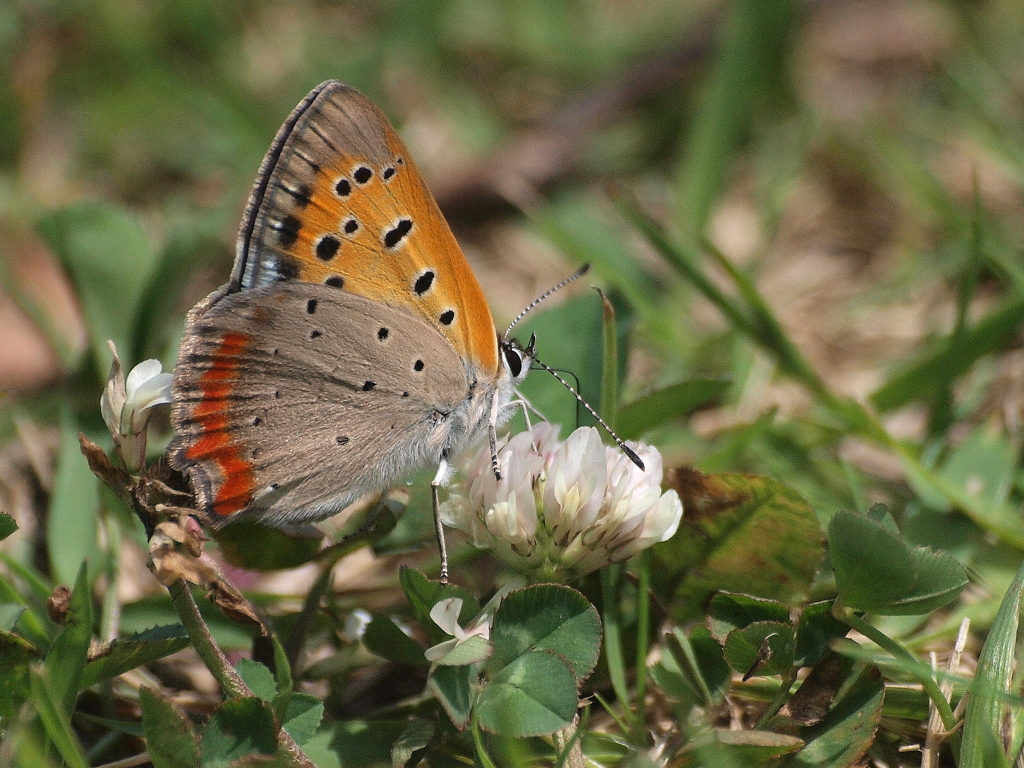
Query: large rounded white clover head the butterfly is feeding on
564, 506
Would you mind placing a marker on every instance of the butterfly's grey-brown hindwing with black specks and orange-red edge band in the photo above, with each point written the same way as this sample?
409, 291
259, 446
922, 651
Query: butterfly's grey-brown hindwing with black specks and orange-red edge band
294, 401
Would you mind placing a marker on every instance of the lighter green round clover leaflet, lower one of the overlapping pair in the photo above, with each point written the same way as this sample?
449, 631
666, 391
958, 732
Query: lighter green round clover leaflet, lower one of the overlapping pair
533, 696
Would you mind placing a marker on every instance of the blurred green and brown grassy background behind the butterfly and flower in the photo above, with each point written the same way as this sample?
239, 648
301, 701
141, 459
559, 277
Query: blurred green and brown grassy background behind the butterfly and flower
860, 162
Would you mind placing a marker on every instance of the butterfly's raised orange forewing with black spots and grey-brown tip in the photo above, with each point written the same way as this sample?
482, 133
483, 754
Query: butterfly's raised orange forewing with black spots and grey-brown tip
340, 202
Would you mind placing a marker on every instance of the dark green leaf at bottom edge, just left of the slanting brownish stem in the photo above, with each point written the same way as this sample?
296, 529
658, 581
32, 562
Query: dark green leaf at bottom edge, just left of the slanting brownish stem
237, 730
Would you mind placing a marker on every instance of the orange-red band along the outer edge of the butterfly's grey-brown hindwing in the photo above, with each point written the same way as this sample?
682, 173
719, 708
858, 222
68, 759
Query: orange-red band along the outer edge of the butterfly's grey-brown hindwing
217, 446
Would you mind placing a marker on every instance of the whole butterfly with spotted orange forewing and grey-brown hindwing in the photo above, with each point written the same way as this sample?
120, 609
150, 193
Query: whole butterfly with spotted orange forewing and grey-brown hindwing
353, 344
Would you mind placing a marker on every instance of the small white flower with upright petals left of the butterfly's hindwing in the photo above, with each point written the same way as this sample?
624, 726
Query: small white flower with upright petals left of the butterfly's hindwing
126, 406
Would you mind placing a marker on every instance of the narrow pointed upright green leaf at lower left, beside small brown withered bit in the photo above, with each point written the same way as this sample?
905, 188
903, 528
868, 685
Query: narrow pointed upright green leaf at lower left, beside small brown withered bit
67, 657
